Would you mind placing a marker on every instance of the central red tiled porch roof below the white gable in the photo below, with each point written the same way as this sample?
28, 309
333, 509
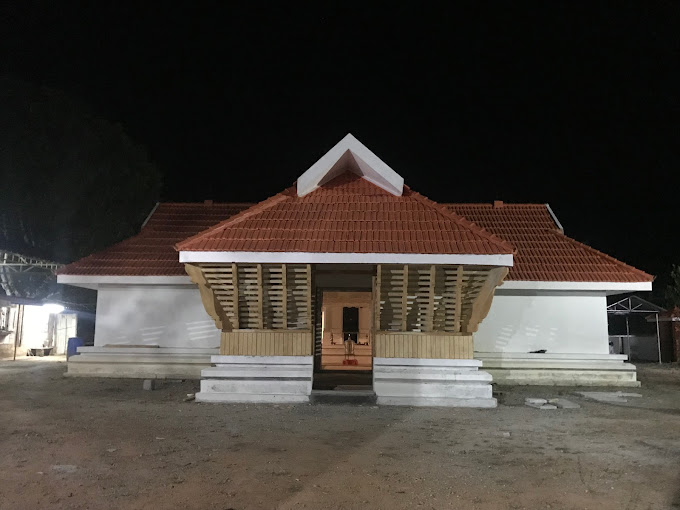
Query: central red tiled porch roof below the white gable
348, 214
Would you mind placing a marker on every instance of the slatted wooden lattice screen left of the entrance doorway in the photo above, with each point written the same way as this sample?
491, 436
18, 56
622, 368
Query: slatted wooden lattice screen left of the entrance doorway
258, 296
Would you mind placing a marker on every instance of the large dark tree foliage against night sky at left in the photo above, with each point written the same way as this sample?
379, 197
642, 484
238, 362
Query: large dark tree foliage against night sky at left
71, 182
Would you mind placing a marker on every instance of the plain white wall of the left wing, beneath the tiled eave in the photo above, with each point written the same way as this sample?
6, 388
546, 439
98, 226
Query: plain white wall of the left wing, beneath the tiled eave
167, 316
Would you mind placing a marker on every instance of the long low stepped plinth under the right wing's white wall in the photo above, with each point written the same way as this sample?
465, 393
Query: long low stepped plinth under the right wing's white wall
559, 369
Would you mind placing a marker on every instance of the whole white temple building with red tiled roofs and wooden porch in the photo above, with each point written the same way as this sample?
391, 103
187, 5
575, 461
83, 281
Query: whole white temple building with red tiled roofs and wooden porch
437, 300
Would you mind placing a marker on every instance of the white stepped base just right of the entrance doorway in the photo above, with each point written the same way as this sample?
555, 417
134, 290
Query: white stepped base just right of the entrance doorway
431, 382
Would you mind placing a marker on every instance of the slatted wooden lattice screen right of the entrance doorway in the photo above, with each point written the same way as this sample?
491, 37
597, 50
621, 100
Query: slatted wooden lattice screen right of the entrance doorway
422, 298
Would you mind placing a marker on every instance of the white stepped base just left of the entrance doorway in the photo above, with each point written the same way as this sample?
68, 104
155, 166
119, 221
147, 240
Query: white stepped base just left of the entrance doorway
263, 379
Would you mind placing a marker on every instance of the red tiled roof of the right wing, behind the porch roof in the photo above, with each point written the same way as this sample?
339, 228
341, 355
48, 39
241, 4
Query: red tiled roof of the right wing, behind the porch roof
544, 253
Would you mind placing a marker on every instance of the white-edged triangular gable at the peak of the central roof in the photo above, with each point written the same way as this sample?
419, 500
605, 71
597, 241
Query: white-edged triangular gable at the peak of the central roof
350, 153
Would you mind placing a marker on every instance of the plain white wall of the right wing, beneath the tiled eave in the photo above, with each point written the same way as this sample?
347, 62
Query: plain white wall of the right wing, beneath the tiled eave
567, 322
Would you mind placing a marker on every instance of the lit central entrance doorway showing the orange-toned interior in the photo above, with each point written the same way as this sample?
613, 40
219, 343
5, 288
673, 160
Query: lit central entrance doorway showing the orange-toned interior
346, 332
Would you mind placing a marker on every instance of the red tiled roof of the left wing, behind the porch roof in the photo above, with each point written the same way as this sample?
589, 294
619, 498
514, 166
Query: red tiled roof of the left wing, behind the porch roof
152, 252
